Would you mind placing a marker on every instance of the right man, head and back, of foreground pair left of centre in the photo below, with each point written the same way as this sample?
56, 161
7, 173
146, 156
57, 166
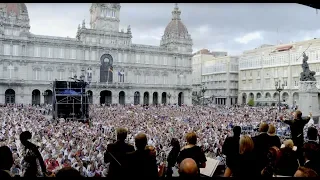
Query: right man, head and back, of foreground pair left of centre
142, 163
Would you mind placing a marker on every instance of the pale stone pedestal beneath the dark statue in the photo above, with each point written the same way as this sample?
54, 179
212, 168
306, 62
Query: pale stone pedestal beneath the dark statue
308, 98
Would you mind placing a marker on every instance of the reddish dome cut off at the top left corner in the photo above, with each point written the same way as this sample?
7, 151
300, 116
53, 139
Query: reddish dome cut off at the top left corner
14, 9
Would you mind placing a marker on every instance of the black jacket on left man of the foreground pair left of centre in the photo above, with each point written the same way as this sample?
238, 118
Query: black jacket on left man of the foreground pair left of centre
119, 151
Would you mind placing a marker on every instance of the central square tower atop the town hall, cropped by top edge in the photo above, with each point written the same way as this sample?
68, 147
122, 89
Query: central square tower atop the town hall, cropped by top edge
105, 16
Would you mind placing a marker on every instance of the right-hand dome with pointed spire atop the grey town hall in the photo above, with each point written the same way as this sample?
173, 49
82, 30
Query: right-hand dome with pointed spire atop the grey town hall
176, 27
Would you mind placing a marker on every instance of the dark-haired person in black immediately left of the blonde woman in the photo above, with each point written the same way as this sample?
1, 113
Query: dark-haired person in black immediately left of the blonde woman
230, 148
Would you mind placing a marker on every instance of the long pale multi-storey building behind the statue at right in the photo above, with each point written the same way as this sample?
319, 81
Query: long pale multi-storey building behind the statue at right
260, 69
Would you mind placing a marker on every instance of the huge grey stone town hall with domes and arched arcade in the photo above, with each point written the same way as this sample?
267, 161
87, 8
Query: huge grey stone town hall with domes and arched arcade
118, 70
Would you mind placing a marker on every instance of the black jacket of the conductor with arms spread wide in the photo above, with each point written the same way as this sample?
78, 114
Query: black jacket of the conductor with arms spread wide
296, 127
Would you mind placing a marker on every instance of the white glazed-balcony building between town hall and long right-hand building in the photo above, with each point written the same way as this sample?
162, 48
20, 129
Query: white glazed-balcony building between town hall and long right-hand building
218, 74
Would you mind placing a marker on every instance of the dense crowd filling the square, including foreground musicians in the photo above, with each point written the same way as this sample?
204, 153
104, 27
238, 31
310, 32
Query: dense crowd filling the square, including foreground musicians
179, 138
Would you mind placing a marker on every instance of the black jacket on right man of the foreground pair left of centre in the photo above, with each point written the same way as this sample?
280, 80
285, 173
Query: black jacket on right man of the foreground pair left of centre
142, 165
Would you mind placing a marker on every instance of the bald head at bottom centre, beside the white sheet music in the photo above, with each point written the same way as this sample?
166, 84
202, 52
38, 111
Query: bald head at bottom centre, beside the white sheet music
188, 168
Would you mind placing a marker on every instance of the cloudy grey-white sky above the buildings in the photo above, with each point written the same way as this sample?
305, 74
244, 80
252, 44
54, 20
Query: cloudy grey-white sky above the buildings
218, 27
